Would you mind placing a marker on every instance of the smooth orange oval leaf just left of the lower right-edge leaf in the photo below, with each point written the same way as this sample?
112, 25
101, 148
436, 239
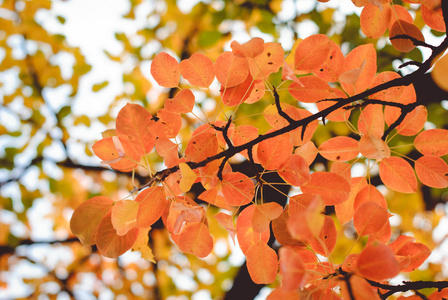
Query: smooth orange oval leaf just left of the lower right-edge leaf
398, 175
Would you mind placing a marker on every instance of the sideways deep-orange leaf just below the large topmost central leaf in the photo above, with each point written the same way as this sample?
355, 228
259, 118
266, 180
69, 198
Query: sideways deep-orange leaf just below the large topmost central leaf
313, 89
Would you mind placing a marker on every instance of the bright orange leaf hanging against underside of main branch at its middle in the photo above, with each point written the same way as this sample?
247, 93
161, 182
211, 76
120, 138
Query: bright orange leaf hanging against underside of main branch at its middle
272, 152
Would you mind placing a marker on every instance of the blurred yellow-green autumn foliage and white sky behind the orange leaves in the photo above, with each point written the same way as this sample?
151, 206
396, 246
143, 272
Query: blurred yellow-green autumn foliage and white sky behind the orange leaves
52, 112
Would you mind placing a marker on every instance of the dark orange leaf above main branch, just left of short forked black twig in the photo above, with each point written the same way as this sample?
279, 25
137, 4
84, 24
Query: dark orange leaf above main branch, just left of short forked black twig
202, 145
